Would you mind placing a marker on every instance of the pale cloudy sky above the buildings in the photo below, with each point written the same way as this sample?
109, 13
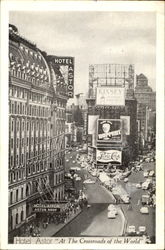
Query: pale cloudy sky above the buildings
93, 37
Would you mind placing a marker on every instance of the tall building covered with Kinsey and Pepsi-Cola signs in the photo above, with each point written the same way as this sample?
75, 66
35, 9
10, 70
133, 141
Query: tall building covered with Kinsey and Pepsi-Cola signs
112, 106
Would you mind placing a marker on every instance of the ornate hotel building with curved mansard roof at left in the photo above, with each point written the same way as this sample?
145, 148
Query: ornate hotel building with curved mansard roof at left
37, 102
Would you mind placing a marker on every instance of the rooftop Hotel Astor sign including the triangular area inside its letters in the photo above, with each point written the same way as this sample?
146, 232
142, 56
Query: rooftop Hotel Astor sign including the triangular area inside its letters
66, 67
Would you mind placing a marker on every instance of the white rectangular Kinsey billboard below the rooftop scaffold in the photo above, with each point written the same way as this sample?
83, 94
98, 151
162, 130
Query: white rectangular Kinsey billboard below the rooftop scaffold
110, 96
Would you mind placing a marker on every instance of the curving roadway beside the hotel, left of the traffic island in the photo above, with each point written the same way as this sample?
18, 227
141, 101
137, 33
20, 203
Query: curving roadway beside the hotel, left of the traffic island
93, 221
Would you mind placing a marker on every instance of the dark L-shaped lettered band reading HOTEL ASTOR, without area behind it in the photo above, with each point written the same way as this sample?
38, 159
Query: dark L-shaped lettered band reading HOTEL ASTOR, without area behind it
69, 63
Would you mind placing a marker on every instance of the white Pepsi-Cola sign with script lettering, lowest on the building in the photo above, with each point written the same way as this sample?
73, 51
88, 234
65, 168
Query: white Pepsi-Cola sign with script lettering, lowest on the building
109, 156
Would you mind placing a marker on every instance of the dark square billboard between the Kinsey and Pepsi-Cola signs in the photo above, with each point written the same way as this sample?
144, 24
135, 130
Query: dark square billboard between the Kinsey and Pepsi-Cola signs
109, 130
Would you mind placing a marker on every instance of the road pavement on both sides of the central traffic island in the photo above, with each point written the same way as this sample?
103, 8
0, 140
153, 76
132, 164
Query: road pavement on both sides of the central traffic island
94, 221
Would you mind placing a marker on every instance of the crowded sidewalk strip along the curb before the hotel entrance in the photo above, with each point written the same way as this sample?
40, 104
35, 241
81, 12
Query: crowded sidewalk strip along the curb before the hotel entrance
52, 228
